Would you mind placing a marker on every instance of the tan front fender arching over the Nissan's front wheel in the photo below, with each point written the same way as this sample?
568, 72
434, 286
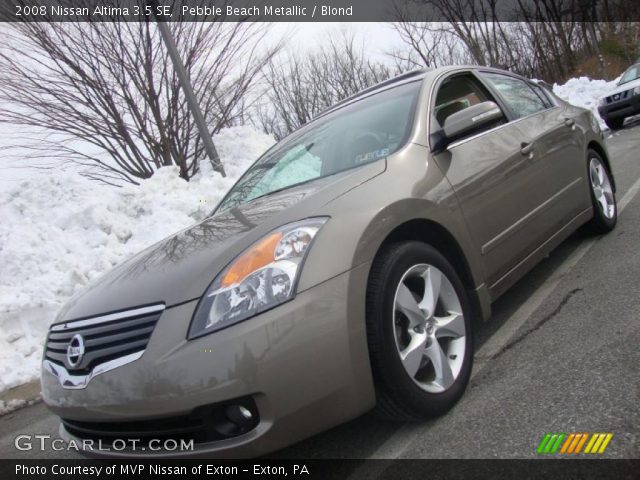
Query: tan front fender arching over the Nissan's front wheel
412, 188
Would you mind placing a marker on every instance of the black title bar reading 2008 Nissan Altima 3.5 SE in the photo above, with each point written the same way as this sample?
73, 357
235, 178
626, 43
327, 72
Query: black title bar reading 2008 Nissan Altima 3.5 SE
319, 10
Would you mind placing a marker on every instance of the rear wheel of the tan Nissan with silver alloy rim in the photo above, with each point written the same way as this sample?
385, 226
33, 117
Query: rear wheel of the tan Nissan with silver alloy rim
603, 198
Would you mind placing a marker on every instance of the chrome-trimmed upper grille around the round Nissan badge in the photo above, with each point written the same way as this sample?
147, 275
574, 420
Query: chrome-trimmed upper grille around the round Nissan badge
104, 338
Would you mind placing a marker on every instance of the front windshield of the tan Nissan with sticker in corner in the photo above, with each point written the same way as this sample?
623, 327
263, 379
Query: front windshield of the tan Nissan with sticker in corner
356, 134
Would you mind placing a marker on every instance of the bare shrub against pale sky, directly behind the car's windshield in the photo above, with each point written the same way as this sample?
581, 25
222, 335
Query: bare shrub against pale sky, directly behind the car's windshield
299, 86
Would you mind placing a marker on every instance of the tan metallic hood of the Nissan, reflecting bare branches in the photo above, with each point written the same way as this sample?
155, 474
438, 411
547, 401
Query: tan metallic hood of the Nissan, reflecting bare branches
181, 267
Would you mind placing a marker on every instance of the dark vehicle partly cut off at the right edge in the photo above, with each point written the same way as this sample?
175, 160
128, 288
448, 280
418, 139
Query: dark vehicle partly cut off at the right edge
623, 101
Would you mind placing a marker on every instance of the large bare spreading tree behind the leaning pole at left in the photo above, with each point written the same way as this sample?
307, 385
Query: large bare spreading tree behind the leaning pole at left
108, 97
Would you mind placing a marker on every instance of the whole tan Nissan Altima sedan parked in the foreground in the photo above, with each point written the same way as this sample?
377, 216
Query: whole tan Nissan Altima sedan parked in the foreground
344, 271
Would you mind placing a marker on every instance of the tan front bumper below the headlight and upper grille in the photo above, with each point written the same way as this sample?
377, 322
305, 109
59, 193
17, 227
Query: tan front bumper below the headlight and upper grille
305, 364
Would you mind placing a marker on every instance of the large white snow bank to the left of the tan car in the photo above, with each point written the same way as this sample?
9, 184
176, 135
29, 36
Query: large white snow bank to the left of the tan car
59, 232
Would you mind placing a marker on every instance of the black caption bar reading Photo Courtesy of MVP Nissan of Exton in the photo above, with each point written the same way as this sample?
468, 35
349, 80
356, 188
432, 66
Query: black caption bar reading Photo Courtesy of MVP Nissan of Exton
320, 469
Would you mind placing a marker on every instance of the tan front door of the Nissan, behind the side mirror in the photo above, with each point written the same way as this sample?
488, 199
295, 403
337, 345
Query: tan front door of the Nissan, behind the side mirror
499, 175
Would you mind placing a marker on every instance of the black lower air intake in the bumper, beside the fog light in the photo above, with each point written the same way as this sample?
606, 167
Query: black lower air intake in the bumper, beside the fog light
204, 424
